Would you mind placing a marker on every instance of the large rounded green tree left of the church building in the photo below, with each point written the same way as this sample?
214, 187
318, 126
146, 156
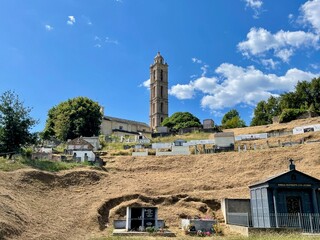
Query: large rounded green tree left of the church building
73, 118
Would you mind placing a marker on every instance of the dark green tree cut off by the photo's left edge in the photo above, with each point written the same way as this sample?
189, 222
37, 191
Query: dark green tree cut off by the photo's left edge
15, 124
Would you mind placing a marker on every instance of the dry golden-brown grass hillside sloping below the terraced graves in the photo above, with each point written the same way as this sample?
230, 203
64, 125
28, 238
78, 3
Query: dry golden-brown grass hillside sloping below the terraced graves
81, 203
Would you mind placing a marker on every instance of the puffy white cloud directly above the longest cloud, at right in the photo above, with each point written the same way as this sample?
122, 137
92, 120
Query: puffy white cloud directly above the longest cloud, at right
282, 44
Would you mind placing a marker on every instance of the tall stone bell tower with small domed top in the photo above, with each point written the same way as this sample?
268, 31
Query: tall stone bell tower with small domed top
158, 91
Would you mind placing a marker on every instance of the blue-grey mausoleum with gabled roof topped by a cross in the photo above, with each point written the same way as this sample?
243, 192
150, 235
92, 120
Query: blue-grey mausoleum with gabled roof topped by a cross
288, 196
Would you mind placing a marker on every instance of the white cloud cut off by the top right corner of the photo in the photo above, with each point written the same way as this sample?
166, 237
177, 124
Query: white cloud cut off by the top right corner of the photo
311, 14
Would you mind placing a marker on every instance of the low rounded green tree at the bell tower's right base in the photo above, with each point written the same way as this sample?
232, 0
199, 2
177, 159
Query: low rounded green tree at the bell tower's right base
181, 120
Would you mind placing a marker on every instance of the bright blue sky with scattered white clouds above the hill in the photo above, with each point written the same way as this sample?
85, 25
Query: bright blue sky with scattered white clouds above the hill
222, 54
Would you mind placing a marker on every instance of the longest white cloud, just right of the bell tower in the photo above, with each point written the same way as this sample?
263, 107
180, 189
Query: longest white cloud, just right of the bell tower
238, 85
